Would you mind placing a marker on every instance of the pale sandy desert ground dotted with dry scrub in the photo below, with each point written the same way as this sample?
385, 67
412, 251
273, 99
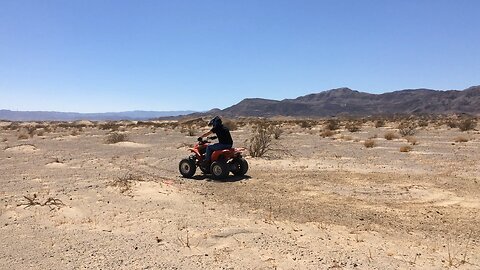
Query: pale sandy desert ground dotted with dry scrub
71, 200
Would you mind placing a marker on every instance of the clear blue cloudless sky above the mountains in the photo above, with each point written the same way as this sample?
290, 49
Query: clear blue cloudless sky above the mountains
101, 55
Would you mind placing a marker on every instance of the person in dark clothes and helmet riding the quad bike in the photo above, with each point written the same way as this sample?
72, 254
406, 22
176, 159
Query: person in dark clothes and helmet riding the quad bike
224, 138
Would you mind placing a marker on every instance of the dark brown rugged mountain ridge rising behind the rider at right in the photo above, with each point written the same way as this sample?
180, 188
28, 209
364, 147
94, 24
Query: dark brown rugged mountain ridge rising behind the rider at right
344, 101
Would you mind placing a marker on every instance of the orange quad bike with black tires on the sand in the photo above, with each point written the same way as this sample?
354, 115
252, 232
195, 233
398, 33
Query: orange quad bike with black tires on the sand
222, 162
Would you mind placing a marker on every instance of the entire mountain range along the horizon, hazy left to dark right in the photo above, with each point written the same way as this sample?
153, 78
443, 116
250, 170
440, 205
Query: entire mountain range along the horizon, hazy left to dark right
335, 102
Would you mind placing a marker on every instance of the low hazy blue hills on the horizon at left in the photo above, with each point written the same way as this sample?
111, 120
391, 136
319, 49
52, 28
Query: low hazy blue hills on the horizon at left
72, 116
